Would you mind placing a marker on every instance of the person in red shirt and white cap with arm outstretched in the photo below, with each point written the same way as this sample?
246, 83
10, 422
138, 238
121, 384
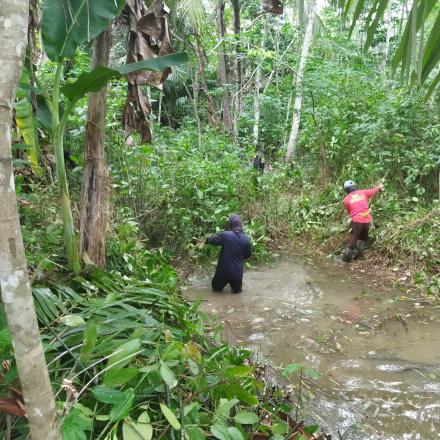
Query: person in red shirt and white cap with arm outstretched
356, 203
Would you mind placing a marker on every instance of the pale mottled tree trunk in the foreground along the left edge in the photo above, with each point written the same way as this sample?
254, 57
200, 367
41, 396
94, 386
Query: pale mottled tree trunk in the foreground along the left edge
14, 280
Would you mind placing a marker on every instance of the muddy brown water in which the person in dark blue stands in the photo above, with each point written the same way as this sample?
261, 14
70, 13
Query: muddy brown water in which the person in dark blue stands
377, 350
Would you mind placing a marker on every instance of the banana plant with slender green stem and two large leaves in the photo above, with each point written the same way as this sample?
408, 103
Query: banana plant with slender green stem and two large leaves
65, 25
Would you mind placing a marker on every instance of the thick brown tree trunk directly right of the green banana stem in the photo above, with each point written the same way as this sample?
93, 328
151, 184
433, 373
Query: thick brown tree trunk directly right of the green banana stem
94, 191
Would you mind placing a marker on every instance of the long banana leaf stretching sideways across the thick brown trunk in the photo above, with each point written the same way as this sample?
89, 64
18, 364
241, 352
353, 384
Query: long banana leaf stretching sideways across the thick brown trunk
96, 79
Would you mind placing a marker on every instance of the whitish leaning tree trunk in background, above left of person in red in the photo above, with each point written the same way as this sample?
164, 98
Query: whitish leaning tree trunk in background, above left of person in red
308, 35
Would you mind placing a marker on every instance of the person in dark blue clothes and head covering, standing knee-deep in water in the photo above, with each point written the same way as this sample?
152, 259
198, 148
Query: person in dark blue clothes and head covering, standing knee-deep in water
236, 247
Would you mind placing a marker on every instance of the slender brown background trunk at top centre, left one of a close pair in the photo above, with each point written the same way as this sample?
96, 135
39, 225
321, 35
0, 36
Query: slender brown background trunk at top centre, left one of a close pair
223, 69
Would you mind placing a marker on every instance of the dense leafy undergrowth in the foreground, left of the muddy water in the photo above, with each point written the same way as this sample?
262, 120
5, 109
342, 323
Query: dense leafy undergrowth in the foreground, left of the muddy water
141, 362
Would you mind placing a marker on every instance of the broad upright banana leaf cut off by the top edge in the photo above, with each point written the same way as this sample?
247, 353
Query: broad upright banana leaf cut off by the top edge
67, 23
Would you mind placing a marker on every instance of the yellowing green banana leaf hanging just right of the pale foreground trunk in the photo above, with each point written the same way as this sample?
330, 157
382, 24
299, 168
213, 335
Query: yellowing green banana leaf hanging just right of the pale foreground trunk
25, 121
